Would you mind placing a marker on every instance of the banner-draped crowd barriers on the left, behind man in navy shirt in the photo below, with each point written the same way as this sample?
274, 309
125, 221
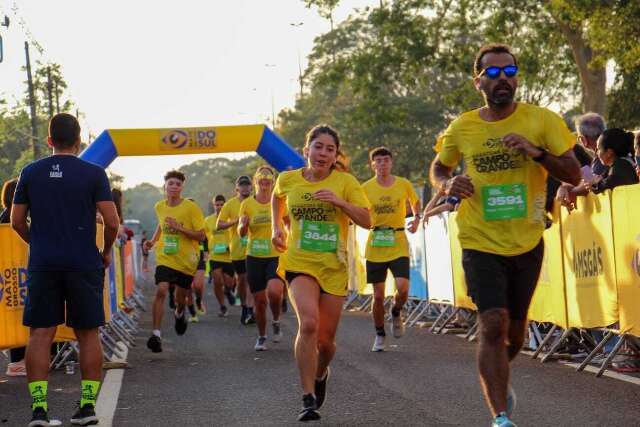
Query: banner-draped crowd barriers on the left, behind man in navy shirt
121, 299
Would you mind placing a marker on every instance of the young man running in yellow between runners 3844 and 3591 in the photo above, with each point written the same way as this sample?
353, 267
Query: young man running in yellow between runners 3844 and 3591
387, 245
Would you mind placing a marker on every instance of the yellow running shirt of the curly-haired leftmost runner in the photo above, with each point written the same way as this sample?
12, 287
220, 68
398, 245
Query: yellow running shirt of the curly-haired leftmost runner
174, 249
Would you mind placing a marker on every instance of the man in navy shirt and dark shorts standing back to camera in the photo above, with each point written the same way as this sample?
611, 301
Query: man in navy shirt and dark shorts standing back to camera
61, 194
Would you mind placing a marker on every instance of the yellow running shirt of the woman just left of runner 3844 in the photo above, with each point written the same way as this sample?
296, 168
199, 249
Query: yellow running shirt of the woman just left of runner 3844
259, 243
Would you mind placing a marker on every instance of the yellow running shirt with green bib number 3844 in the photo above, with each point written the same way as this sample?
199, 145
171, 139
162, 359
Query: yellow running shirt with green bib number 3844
317, 243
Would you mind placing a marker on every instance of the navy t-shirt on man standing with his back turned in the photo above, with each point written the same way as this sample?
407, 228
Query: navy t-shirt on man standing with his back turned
61, 192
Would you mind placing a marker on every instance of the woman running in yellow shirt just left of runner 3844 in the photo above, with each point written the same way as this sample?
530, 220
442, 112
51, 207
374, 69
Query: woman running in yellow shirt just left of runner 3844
262, 257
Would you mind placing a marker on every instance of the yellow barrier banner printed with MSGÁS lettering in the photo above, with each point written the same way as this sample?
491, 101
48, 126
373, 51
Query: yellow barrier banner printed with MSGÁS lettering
589, 263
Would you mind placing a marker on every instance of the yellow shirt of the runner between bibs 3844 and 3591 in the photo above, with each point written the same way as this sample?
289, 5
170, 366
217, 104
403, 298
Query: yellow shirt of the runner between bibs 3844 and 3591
388, 210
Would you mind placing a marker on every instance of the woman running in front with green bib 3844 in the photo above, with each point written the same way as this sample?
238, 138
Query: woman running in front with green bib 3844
320, 200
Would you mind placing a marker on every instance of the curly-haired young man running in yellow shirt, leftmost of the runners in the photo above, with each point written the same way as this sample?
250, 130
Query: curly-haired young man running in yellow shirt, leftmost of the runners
180, 231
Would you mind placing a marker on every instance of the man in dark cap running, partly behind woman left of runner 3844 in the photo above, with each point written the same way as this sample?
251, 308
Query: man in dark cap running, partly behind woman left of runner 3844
228, 218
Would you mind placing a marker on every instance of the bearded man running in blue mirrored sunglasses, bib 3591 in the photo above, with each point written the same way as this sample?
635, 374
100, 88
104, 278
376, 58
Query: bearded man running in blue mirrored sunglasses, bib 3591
508, 148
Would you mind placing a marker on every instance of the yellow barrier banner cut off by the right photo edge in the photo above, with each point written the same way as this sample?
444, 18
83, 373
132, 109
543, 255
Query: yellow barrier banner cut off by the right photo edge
626, 235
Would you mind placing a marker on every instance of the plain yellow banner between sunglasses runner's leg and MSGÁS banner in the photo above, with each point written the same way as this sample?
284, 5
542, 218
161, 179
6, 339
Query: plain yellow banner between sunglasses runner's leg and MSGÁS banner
549, 301
